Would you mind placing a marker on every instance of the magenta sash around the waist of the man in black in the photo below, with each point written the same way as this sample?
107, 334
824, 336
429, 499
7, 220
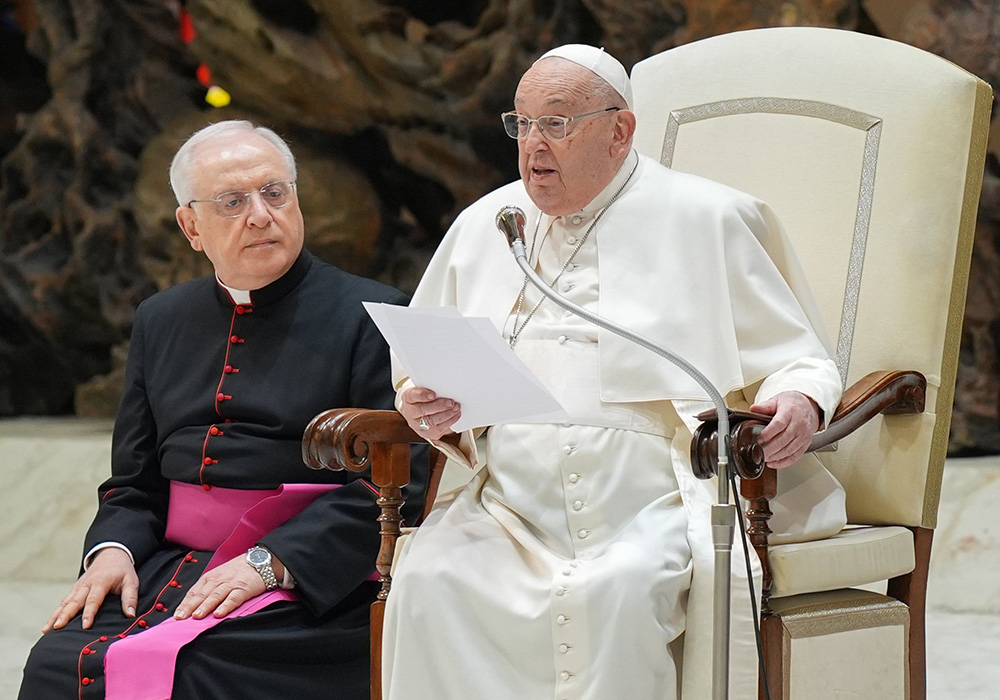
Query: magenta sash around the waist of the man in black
230, 521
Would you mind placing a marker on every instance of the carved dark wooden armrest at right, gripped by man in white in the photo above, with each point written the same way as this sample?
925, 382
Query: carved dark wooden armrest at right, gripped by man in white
886, 391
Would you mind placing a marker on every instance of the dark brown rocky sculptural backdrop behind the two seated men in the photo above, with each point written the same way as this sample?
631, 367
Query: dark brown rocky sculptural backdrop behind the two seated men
392, 110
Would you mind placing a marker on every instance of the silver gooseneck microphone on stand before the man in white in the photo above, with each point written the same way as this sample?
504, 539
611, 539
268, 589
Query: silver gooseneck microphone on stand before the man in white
510, 220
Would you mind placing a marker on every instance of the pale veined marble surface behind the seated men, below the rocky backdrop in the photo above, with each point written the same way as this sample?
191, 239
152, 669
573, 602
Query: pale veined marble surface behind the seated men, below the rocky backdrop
963, 617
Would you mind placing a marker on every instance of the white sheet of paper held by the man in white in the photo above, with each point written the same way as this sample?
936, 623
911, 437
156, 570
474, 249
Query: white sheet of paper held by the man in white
467, 360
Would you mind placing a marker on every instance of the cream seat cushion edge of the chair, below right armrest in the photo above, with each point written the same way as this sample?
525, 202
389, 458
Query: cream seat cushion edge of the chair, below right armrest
855, 556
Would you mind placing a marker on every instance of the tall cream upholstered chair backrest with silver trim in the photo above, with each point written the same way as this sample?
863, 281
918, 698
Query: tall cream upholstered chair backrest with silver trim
871, 152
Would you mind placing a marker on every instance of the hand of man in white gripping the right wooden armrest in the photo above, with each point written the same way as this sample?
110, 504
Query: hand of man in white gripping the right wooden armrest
786, 438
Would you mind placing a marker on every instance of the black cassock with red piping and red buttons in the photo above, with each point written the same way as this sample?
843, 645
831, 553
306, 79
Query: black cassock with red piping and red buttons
218, 394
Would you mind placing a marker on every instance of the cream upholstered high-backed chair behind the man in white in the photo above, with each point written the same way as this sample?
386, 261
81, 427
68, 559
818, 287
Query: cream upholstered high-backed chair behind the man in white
871, 152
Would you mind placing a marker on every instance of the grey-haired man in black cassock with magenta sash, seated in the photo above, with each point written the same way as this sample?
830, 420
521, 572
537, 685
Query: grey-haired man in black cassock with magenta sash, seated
219, 565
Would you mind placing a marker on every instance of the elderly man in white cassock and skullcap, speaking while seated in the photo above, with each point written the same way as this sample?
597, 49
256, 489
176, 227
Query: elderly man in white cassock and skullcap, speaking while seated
577, 562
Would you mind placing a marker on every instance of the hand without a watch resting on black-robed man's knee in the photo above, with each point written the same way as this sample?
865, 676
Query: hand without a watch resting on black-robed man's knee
111, 571
